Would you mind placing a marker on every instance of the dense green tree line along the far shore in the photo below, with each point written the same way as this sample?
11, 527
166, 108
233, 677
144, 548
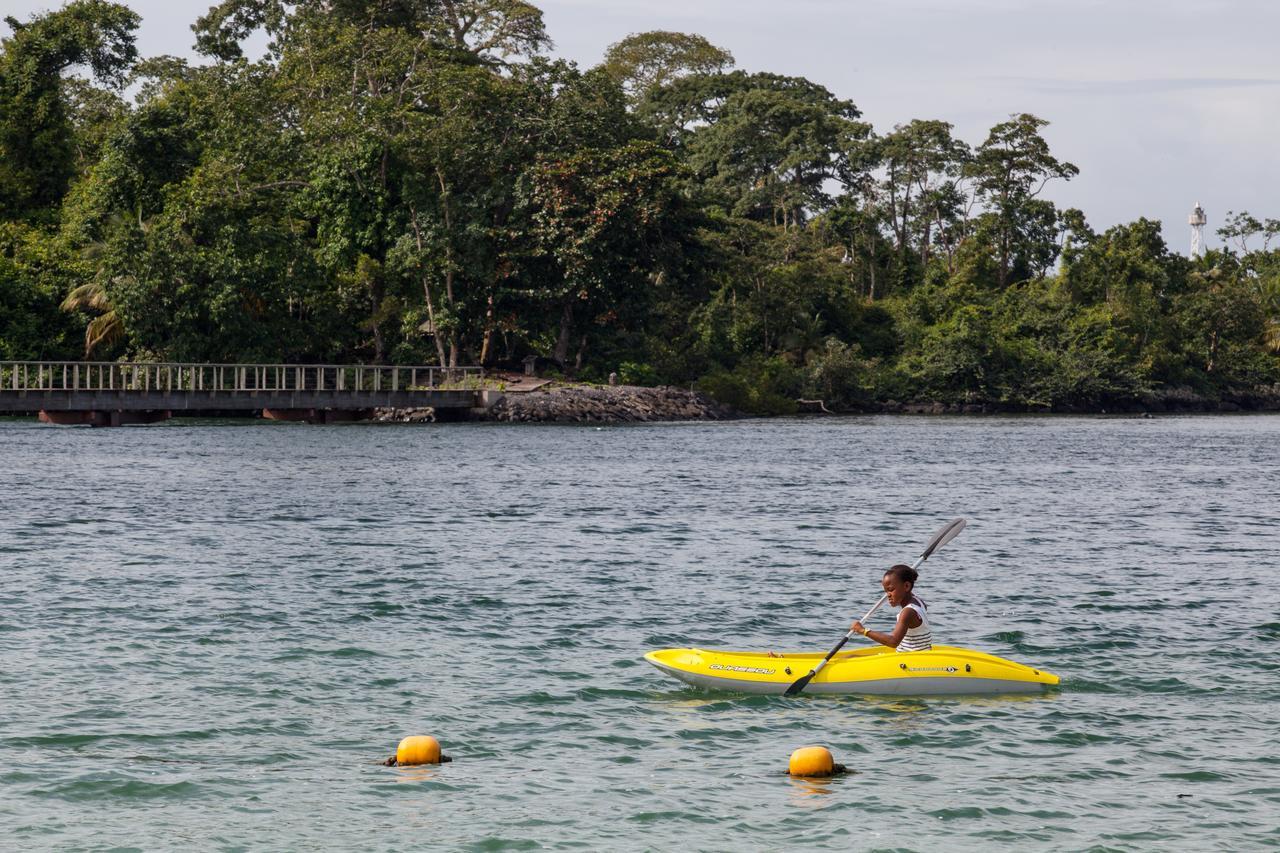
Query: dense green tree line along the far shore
418, 181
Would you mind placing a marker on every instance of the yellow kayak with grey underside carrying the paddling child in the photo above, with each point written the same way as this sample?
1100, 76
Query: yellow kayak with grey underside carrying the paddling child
879, 670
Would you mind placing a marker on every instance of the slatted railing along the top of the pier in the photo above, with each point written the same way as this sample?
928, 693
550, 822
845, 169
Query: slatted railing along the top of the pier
231, 378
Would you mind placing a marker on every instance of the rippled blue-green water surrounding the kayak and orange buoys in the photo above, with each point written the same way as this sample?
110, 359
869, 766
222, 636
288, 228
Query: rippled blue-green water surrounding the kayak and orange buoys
214, 633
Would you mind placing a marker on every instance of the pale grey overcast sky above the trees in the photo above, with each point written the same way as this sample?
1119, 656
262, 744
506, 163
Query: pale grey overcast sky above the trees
1160, 103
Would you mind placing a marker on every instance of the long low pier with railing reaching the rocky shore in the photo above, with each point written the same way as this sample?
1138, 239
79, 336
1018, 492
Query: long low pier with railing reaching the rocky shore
108, 394
